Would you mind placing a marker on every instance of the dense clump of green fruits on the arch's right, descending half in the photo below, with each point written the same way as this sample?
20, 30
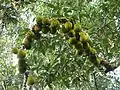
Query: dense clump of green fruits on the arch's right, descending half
80, 41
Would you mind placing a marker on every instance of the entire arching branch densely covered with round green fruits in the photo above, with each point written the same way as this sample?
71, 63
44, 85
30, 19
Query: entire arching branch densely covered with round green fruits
77, 37
